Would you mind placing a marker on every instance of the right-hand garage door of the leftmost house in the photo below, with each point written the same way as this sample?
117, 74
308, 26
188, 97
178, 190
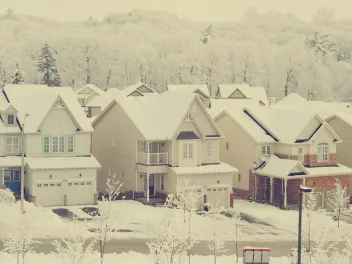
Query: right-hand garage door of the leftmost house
80, 193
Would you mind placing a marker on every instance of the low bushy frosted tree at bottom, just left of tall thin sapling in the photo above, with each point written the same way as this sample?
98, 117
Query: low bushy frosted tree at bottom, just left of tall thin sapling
75, 249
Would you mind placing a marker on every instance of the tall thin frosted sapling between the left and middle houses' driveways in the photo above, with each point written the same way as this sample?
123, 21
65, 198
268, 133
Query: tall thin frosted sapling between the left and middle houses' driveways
103, 219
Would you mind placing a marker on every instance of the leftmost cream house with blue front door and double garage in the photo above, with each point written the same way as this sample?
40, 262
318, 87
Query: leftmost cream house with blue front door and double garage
59, 168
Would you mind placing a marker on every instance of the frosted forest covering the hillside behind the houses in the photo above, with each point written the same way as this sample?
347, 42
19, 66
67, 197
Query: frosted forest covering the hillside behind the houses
274, 50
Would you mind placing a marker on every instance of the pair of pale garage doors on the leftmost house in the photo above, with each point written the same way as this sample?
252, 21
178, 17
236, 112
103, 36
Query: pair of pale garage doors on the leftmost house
53, 194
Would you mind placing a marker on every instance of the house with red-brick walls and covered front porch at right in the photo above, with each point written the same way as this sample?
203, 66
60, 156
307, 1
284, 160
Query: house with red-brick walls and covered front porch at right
277, 150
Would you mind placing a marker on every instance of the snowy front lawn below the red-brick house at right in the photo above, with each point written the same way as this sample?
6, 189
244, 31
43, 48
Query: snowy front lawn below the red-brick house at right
287, 220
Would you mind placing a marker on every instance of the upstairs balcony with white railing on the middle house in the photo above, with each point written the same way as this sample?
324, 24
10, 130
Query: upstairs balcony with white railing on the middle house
153, 152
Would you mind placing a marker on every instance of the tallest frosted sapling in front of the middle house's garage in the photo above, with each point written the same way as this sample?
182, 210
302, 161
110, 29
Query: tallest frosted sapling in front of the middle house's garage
189, 200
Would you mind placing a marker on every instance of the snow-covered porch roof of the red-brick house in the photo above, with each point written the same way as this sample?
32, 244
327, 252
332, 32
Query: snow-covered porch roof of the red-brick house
274, 166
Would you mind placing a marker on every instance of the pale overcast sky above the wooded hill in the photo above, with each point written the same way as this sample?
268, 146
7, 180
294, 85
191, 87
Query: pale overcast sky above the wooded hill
201, 10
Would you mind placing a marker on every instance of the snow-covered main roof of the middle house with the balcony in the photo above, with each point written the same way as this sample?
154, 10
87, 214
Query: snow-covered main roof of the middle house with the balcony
152, 115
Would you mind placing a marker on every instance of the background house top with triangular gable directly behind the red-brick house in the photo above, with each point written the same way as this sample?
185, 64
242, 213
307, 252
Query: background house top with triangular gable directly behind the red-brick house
242, 92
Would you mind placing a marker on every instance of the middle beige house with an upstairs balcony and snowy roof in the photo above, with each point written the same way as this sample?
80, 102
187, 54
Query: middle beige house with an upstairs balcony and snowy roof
151, 142
